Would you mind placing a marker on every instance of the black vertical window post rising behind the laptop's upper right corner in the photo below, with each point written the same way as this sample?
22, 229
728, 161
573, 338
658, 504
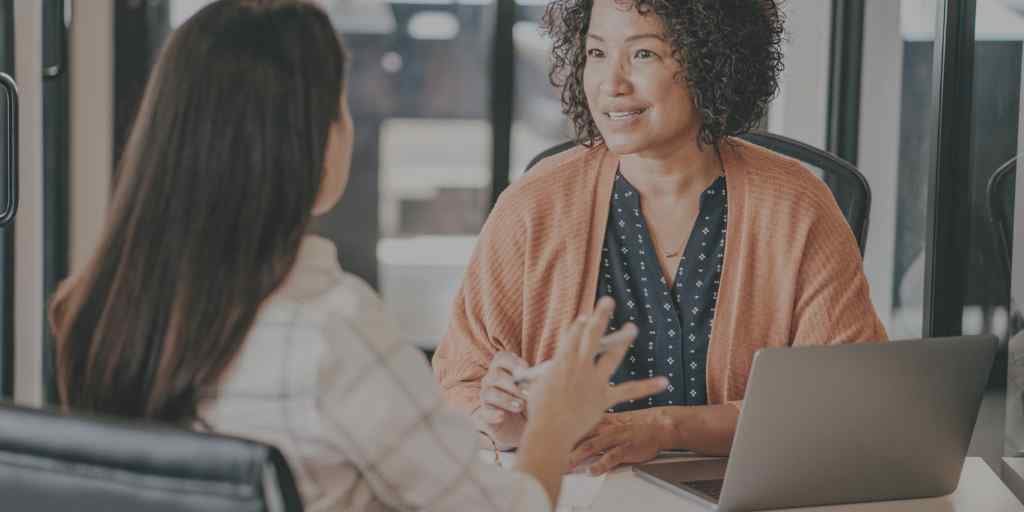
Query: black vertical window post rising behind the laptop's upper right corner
948, 230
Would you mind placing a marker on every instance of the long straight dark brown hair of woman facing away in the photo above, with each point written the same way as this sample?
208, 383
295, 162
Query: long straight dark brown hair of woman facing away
219, 179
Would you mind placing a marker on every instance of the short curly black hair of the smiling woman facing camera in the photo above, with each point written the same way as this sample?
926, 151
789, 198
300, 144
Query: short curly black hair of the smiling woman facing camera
730, 52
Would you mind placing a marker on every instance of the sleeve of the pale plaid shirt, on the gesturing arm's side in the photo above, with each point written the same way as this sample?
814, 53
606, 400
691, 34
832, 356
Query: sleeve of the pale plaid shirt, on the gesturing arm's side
380, 405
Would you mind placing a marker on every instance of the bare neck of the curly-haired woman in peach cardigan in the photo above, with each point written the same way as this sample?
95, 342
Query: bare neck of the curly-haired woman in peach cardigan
672, 175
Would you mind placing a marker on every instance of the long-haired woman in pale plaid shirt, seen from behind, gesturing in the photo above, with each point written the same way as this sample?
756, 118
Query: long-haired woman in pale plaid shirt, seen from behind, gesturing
206, 305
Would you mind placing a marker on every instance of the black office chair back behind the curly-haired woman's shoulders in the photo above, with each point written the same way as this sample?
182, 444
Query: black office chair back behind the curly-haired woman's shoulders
847, 185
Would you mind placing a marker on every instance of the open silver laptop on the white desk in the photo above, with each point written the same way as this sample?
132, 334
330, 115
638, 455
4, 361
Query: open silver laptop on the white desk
845, 424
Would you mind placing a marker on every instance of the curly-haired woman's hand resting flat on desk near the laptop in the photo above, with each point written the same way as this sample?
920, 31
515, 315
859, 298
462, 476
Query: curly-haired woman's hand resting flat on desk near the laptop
623, 439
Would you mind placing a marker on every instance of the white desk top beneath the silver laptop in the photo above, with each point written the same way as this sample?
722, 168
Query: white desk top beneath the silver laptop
980, 490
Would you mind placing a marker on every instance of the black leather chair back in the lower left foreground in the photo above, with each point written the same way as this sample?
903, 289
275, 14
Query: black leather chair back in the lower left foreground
56, 463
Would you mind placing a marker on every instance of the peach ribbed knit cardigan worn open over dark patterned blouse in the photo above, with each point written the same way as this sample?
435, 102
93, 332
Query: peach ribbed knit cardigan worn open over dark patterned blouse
793, 274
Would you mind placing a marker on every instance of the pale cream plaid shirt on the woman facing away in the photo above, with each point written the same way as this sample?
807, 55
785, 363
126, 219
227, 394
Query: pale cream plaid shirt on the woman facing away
357, 413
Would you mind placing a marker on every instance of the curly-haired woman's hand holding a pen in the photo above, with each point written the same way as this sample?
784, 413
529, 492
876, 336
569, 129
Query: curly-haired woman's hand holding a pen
503, 407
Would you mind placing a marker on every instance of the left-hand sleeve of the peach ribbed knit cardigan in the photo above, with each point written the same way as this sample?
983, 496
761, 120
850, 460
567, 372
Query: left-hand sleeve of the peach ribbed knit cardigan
488, 310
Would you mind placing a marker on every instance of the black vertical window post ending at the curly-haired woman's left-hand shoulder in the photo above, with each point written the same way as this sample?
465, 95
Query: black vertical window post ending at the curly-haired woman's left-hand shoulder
502, 97
